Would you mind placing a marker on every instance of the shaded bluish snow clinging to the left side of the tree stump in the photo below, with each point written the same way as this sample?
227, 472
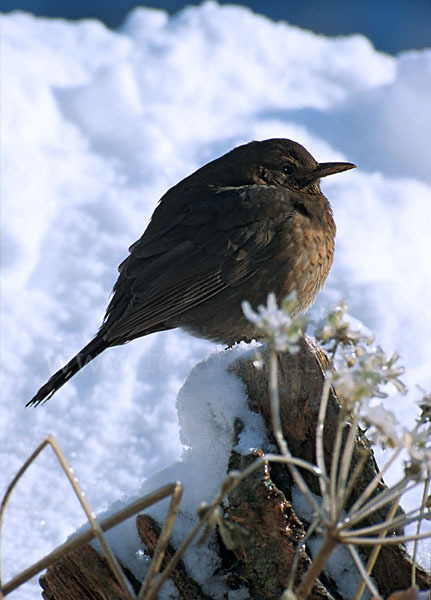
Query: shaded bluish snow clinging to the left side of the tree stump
208, 404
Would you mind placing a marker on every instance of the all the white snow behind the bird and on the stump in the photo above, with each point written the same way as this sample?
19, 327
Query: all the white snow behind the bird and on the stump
96, 126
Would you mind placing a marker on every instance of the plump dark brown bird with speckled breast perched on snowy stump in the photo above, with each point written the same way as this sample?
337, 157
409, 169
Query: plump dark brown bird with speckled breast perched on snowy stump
251, 222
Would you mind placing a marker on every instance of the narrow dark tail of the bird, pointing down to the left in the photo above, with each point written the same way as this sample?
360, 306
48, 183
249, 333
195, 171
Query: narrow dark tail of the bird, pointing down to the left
84, 356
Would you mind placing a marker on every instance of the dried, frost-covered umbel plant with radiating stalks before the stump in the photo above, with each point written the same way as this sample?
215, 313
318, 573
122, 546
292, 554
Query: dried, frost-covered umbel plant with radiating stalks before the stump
360, 372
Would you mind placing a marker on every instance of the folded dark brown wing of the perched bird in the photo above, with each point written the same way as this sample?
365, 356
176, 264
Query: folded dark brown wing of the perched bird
200, 248
